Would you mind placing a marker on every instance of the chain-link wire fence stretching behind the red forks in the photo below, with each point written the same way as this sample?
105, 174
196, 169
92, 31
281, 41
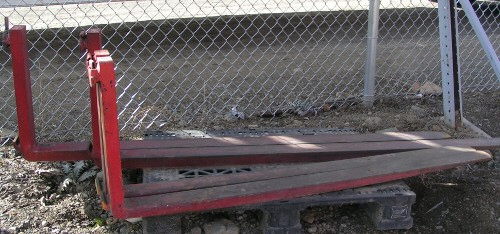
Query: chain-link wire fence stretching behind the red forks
188, 63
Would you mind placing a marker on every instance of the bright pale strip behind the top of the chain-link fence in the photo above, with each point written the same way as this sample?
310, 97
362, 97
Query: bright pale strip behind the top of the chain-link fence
77, 13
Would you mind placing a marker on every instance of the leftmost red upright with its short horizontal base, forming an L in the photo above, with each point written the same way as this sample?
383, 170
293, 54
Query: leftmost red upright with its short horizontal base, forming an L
26, 141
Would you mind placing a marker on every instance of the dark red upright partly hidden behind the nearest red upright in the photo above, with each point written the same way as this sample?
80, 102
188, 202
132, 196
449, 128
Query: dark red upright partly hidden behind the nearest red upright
93, 43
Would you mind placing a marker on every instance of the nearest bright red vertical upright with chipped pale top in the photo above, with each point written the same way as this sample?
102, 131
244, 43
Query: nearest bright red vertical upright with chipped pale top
105, 85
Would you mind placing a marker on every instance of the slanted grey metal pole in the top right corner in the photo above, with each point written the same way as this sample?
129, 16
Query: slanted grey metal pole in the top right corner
481, 35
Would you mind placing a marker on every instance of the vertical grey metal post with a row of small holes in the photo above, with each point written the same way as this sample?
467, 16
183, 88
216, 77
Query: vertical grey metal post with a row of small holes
449, 63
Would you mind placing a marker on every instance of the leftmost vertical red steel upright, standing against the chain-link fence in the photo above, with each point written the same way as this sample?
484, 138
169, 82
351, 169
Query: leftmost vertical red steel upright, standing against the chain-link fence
22, 89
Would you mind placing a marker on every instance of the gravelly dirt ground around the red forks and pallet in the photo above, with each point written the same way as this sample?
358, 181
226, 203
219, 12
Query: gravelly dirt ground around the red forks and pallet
60, 197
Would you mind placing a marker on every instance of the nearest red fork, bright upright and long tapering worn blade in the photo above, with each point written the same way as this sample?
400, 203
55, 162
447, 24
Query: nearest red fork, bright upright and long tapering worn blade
207, 193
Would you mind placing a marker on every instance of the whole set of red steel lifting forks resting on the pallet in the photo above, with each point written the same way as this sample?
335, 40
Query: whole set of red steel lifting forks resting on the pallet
340, 161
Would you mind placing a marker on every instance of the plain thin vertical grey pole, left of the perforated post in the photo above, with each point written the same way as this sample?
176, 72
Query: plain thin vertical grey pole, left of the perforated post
370, 65
